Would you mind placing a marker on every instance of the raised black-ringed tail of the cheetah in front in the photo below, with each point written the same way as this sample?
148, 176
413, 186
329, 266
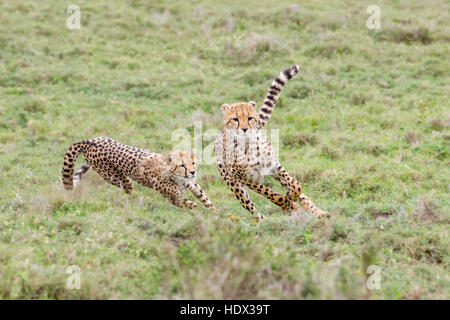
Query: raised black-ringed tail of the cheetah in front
265, 113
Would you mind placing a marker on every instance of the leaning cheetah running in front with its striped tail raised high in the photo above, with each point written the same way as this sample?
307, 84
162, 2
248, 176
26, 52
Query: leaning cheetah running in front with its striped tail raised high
245, 156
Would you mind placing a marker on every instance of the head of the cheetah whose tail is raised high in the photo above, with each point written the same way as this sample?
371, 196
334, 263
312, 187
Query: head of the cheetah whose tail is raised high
240, 118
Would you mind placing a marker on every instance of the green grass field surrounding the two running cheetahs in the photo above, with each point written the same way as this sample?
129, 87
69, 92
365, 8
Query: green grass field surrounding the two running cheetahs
364, 127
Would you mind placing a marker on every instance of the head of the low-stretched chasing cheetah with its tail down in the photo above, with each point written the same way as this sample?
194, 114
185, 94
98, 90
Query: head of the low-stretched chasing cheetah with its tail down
182, 165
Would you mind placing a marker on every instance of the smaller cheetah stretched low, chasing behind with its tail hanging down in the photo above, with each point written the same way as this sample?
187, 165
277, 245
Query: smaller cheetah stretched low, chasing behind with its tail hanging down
171, 174
